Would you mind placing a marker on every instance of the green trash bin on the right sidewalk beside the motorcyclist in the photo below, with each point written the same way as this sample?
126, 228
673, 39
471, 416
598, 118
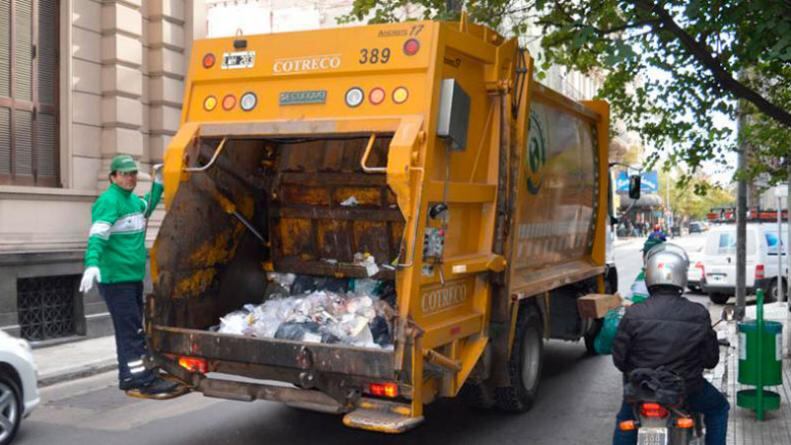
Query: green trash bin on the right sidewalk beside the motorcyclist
771, 363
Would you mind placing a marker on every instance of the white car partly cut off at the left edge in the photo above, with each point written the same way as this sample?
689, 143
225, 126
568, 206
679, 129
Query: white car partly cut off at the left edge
18, 385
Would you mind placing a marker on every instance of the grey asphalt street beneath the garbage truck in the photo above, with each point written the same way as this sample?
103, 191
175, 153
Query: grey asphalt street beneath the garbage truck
578, 398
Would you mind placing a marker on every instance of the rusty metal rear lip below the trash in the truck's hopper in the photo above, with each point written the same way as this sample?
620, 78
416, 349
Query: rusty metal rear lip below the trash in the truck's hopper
283, 353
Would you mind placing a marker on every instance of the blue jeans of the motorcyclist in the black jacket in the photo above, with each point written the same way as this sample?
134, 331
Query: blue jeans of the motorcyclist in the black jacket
707, 401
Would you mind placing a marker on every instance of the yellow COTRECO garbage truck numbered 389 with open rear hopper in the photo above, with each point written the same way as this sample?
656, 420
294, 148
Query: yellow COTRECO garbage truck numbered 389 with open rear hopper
480, 196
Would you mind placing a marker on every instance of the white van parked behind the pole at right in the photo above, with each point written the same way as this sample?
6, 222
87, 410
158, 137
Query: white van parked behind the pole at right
719, 261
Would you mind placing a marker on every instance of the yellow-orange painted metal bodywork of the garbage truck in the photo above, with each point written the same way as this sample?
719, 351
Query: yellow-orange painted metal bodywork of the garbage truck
446, 305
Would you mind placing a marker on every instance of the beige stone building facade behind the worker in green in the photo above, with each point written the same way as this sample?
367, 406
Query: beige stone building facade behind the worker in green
117, 68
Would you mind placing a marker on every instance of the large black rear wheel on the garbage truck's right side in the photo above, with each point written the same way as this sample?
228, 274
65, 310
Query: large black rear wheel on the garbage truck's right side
524, 366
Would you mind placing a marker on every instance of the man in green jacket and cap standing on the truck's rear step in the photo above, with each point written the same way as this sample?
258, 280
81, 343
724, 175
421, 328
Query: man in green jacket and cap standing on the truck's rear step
116, 259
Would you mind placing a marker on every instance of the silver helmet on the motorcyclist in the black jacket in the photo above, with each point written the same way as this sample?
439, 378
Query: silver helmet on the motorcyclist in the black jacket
666, 265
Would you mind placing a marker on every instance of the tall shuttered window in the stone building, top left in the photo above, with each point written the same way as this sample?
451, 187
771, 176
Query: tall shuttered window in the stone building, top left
29, 92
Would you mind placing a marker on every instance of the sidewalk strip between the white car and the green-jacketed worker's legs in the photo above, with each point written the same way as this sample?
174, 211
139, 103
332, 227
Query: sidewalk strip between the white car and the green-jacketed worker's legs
74, 360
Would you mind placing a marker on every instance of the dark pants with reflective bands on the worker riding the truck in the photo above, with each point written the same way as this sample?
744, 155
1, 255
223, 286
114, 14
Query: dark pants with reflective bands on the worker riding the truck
125, 302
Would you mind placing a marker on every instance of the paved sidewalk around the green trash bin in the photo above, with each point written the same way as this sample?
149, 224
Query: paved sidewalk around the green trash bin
743, 428
